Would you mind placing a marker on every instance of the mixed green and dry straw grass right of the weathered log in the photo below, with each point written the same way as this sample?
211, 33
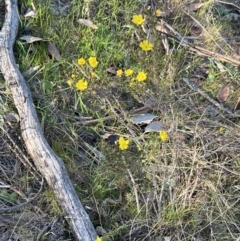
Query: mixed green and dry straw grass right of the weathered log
184, 188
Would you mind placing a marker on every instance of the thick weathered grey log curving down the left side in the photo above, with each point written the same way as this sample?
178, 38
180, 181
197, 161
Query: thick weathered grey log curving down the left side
47, 162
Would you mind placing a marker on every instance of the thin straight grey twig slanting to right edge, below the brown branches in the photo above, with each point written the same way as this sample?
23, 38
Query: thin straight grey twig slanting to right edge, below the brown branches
214, 102
